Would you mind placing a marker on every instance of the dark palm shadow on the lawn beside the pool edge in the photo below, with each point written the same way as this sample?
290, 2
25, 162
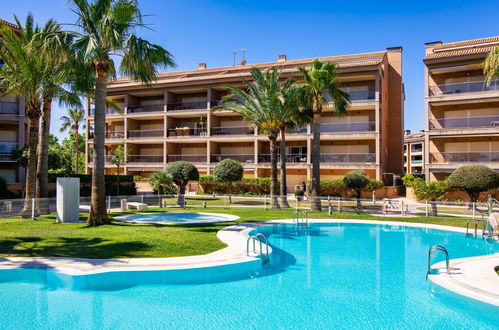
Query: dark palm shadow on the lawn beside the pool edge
93, 248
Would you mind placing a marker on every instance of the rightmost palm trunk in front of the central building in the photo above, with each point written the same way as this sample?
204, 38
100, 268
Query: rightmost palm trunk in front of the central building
316, 163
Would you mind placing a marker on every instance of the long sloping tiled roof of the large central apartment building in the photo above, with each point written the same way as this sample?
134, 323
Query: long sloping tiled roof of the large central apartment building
344, 61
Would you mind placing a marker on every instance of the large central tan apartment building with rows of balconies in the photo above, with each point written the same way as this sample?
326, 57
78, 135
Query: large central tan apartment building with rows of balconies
170, 120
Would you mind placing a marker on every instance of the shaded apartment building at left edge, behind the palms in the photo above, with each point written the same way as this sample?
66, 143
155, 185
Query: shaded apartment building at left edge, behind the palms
13, 130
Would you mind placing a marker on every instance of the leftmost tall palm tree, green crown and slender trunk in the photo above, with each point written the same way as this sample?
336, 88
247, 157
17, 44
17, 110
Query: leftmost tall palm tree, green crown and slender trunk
22, 74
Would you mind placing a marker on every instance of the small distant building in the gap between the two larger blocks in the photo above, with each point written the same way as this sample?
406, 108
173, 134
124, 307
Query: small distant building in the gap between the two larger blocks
414, 153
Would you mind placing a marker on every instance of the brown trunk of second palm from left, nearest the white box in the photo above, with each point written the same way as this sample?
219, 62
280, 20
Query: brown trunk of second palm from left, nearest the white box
42, 179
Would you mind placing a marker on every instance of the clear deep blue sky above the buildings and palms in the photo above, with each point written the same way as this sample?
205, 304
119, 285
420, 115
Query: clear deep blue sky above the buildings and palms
208, 31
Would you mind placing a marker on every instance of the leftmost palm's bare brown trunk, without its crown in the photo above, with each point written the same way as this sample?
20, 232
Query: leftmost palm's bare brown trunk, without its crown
31, 167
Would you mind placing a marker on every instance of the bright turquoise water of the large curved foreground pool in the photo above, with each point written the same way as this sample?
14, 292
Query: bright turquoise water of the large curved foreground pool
327, 276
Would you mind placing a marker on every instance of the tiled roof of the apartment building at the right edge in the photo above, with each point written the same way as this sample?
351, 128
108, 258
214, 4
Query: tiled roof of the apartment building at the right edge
475, 47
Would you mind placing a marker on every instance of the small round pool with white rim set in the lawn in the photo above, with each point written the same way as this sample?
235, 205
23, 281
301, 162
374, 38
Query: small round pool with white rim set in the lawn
176, 217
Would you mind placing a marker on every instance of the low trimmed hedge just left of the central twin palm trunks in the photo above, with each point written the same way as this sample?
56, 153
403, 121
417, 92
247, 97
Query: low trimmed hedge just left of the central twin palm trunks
251, 186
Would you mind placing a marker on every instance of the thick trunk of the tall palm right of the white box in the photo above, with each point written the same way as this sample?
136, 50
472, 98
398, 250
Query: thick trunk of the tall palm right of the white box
98, 212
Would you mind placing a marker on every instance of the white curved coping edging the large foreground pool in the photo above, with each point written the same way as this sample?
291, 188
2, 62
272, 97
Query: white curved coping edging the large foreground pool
236, 237
